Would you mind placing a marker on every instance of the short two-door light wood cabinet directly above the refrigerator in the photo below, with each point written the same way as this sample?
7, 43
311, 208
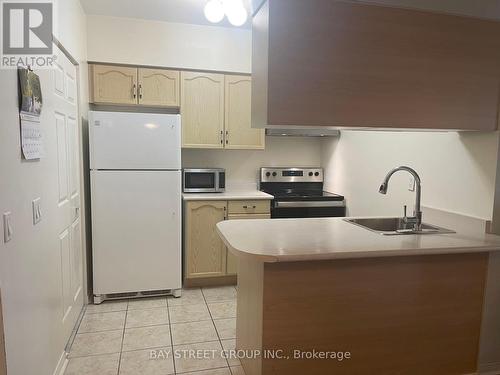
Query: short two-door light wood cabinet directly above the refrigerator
112, 84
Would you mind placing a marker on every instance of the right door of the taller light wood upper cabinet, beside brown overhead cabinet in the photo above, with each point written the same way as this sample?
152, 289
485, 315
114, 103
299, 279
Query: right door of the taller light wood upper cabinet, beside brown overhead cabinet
239, 132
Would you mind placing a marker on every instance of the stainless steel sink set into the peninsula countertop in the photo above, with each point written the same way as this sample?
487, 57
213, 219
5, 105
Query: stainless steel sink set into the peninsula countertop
391, 226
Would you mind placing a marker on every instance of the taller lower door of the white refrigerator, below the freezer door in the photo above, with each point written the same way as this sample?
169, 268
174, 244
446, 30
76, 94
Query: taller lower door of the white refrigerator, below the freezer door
136, 230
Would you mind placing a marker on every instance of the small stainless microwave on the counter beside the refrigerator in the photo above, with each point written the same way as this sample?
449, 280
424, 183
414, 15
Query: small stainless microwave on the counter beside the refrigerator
204, 180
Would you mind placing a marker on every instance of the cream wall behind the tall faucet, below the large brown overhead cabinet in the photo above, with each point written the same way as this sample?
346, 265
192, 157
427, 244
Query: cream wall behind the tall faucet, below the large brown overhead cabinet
457, 170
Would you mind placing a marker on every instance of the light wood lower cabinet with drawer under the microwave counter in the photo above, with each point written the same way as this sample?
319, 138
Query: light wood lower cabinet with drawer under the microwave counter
206, 259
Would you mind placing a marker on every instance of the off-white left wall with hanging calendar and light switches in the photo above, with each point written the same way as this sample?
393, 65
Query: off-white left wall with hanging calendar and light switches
31, 284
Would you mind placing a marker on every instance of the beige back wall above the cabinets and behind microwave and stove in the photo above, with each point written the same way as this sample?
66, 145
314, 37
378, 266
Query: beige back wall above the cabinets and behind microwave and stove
157, 43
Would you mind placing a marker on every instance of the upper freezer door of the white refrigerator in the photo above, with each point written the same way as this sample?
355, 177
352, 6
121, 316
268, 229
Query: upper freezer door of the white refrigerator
120, 140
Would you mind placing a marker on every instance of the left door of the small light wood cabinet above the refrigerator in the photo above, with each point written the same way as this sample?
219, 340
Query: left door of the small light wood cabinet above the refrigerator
114, 84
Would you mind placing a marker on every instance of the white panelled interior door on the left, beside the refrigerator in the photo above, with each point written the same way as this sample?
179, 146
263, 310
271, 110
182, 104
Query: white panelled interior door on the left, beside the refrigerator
68, 205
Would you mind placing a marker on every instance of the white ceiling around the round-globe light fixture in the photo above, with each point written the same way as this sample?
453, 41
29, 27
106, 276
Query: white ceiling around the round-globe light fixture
179, 11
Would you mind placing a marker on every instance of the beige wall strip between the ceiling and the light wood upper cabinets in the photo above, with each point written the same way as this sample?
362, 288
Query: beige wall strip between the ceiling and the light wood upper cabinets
178, 45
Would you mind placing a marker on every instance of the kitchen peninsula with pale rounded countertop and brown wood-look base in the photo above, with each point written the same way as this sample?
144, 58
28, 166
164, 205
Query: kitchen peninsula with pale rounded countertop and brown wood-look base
407, 304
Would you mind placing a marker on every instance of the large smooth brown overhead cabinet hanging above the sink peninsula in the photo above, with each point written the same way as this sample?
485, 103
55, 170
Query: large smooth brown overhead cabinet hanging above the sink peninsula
347, 64
